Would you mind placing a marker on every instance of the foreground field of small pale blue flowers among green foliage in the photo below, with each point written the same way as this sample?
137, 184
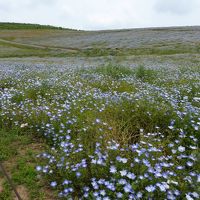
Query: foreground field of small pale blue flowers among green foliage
113, 132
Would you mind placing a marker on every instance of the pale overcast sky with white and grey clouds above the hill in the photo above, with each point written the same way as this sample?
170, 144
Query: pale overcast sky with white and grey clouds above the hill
102, 14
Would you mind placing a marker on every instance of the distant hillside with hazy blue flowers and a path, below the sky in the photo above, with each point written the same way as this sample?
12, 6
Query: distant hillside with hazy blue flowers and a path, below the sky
47, 41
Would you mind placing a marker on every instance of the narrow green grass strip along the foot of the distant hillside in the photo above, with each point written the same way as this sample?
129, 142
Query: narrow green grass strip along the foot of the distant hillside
28, 51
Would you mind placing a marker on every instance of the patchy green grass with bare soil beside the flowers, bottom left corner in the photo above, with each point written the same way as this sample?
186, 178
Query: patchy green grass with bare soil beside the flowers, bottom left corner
20, 161
